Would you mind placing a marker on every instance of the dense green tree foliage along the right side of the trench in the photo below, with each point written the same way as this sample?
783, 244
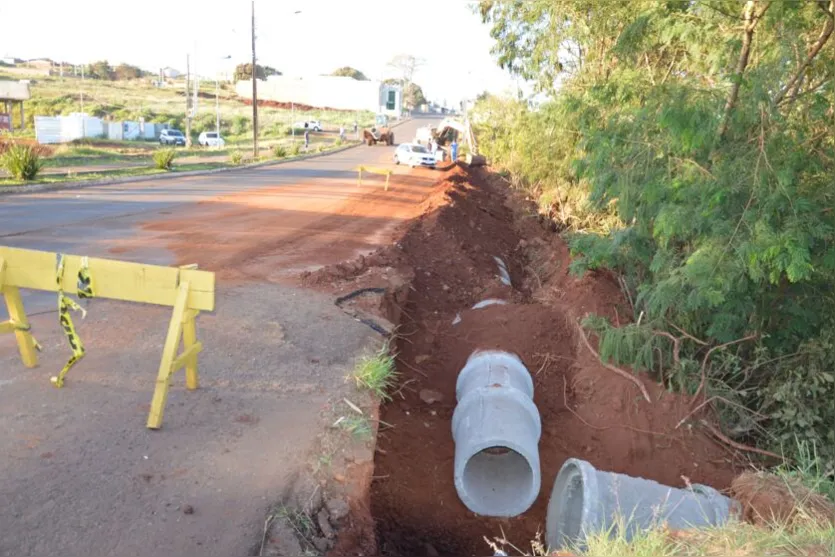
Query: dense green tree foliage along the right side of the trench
690, 147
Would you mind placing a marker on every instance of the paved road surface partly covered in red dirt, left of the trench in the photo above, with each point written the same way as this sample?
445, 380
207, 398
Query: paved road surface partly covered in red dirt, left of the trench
81, 474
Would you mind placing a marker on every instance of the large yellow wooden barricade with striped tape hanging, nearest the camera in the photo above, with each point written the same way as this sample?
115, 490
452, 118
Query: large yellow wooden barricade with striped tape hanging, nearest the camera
186, 289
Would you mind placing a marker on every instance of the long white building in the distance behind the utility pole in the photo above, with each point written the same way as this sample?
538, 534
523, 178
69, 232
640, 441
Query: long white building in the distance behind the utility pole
327, 91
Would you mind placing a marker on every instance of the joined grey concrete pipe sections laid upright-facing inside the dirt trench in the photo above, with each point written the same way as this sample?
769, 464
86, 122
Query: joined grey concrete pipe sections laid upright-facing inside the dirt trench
496, 429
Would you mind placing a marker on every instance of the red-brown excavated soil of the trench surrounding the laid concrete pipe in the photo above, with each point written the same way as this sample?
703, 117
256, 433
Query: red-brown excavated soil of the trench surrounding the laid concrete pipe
444, 264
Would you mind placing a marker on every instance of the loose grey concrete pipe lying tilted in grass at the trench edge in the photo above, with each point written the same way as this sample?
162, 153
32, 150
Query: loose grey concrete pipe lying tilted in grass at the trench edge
585, 500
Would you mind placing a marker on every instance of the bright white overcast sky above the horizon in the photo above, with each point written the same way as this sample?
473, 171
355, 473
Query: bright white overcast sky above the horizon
446, 34
